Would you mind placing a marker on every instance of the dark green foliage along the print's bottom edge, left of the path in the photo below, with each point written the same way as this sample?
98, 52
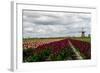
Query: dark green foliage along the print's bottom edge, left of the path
47, 55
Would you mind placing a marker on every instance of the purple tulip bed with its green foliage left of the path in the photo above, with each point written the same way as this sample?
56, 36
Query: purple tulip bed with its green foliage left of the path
54, 51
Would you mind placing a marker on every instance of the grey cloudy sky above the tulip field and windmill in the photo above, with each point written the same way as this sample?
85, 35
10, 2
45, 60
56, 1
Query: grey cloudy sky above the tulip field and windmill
54, 24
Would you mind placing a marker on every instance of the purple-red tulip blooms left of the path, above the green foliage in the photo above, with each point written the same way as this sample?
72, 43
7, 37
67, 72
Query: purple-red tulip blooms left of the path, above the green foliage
54, 46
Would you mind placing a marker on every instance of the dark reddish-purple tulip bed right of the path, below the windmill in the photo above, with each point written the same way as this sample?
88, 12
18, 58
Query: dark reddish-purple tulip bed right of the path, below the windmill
83, 47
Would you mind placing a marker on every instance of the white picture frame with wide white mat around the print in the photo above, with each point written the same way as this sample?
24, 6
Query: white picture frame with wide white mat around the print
16, 25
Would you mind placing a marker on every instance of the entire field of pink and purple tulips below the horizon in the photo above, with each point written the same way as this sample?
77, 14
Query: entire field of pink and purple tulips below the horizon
55, 49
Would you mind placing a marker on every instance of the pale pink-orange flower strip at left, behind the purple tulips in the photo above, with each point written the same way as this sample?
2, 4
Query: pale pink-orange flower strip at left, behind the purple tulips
35, 42
